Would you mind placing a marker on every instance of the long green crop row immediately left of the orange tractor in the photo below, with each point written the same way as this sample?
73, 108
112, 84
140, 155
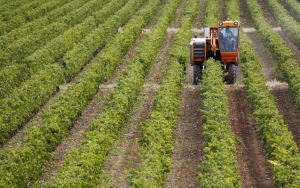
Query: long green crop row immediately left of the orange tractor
157, 141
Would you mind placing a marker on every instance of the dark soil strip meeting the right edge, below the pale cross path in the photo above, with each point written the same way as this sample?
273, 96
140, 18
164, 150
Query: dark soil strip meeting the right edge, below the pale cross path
287, 108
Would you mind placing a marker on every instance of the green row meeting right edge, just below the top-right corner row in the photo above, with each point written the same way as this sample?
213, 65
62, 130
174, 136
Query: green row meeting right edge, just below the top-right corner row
290, 27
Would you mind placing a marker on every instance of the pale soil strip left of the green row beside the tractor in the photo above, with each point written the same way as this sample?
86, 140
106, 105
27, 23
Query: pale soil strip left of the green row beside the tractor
124, 156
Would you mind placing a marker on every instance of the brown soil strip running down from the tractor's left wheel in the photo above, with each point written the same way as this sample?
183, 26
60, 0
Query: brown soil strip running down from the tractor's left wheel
188, 151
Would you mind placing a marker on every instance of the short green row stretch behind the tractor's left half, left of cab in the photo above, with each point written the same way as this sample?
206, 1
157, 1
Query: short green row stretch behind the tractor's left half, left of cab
211, 13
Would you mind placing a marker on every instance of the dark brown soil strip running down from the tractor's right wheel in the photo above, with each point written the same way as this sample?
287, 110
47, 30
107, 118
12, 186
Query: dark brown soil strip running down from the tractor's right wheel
252, 164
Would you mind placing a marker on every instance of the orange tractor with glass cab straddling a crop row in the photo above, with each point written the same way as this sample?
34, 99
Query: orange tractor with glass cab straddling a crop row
220, 43
